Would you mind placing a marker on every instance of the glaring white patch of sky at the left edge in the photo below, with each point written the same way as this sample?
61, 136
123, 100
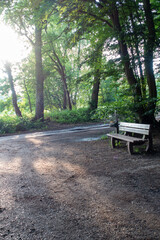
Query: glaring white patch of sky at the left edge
11, 48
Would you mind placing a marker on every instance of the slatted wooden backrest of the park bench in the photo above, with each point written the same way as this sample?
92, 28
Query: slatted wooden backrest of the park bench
134, 128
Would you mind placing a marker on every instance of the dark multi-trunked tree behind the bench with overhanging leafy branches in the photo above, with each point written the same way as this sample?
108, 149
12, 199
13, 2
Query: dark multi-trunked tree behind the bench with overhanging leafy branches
116, 14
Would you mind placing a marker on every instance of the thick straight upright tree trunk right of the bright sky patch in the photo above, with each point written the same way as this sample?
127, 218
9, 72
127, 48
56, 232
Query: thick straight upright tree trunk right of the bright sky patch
39, 75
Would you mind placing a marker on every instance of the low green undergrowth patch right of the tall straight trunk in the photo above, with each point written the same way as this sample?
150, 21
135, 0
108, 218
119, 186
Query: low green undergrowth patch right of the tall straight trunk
73, 116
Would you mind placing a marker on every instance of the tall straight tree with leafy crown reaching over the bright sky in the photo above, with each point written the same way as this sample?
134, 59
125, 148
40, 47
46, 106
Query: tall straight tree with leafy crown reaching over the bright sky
25, 22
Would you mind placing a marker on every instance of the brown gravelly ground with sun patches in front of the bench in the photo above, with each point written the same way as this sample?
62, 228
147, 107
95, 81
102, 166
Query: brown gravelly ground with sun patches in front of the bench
57, 188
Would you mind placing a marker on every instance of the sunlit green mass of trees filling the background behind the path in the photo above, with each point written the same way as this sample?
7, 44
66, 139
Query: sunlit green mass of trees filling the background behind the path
102, 55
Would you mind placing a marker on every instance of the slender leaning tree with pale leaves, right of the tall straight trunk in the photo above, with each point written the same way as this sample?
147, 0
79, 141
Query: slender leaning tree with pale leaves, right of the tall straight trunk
56, 49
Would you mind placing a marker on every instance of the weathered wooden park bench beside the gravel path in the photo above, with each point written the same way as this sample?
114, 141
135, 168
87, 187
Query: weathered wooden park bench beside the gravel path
133, 134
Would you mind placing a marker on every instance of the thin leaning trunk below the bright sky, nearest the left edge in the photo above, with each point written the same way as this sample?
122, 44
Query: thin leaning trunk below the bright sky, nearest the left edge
14, 95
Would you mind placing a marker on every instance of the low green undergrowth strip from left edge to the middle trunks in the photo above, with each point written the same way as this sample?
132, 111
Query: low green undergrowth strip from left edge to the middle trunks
14, 124
